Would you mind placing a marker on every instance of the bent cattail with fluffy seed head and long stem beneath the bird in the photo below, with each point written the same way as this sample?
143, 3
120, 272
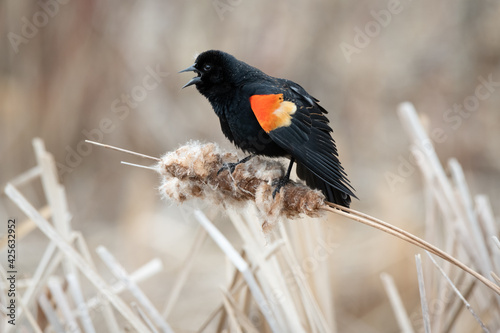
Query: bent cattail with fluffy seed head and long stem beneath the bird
191, 172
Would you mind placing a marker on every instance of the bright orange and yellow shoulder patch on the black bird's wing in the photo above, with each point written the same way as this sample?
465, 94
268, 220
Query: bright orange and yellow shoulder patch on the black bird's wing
272, 111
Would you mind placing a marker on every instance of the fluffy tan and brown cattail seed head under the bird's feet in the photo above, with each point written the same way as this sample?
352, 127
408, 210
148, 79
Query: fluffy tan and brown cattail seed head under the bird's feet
191, 172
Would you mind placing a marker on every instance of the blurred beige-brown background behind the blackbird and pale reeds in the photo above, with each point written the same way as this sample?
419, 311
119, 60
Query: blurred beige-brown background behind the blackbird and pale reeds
107, 71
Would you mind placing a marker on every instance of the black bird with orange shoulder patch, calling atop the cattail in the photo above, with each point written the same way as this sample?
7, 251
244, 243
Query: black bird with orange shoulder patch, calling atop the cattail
264, 115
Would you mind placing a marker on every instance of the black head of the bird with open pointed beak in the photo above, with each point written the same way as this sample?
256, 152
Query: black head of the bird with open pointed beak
215, 71
